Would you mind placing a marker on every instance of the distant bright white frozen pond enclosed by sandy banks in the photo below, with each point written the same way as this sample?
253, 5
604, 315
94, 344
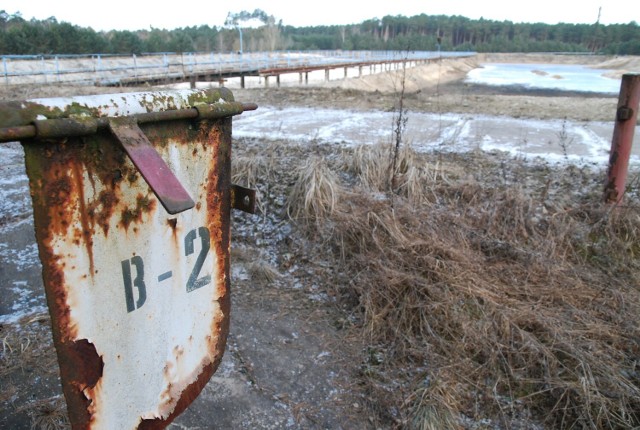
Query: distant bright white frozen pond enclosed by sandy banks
546, 76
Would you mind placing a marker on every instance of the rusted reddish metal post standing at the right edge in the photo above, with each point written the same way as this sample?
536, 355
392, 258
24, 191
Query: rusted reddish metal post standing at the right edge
626, 118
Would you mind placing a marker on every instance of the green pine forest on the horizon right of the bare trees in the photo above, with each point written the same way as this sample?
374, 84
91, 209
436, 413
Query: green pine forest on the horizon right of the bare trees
457, 33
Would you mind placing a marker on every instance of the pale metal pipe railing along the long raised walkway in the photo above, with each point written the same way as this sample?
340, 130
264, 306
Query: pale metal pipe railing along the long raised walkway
108, 68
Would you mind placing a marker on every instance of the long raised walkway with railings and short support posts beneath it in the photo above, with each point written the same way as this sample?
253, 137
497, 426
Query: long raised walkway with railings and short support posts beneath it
167, 68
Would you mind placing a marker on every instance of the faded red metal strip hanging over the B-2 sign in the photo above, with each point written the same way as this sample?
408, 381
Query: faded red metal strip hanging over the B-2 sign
153, 168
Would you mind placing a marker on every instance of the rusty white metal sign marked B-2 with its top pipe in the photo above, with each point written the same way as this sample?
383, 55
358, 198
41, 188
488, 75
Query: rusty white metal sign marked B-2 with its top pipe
131, 196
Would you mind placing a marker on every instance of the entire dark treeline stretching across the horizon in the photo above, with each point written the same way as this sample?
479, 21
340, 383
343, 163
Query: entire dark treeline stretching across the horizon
420, 32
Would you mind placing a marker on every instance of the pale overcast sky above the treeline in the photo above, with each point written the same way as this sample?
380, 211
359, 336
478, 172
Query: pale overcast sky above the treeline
142, 14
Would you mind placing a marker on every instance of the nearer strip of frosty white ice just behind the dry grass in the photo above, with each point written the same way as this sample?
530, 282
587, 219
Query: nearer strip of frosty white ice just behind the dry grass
552, 140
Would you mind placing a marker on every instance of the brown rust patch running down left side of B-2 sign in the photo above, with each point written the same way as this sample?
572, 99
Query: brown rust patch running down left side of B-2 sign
64, 208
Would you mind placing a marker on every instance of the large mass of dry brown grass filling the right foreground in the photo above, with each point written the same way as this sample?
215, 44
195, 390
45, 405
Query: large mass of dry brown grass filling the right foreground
485, 299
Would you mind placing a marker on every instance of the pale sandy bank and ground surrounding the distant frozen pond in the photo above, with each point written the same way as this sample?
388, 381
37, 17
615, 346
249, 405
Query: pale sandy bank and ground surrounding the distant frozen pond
441, 88
